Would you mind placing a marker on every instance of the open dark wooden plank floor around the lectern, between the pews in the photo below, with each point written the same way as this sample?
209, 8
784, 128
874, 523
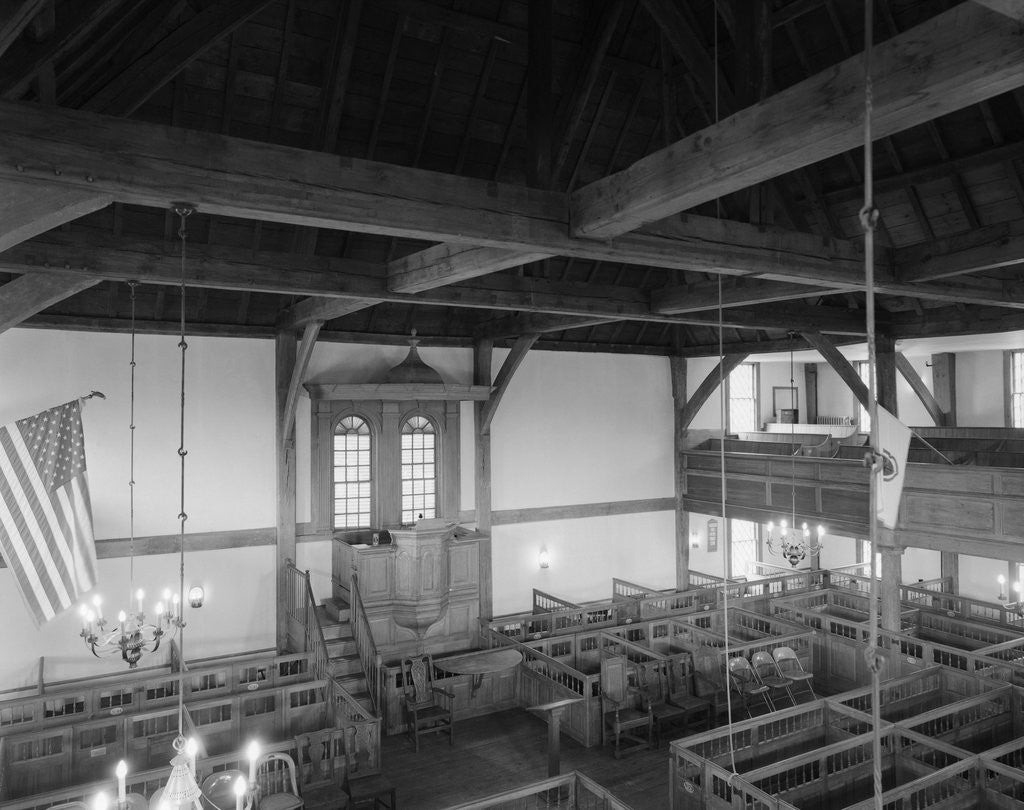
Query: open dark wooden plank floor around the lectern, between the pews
506, 750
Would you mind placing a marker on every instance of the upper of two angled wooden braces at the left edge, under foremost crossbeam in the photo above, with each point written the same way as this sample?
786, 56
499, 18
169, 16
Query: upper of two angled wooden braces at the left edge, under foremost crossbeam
27, 211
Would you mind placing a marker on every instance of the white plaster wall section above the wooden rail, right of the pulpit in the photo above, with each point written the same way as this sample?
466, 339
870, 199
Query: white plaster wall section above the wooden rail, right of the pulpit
581, 430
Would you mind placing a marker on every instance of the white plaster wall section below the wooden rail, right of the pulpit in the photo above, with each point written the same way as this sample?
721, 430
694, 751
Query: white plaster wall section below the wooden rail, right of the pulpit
586, 555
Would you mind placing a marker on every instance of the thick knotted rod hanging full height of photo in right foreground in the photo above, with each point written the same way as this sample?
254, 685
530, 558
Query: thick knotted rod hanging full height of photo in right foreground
869, 222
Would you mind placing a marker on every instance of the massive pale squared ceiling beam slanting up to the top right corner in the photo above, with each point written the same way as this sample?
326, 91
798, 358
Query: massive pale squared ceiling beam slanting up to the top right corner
957, 59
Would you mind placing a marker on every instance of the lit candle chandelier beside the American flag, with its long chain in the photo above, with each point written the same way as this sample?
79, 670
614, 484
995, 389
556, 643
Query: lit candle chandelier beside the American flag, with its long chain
134, 634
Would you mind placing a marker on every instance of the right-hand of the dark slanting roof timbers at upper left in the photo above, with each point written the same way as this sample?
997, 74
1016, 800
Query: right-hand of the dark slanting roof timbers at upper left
156, 68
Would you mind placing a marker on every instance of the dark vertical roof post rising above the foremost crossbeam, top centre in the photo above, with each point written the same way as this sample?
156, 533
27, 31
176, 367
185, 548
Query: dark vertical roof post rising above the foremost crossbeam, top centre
539, 110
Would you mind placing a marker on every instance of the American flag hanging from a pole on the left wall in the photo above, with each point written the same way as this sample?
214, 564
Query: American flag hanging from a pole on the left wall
46, 517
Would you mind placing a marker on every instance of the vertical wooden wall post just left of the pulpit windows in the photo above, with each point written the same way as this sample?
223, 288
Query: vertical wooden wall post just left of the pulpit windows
286, 347
